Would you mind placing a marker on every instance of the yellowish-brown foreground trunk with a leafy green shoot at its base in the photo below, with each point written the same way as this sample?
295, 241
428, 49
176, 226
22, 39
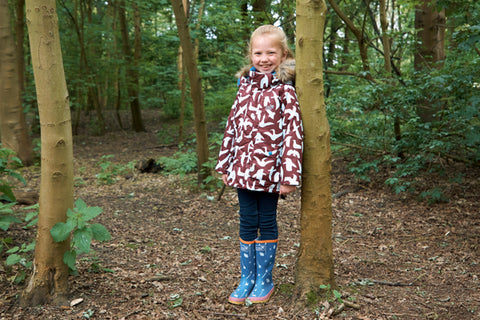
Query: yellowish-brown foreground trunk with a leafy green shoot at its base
49, 280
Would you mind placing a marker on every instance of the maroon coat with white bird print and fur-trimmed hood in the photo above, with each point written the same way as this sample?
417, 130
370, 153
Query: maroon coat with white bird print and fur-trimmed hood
263, 142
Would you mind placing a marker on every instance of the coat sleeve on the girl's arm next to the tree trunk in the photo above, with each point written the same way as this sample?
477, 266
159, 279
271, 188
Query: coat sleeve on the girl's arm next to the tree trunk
292, 150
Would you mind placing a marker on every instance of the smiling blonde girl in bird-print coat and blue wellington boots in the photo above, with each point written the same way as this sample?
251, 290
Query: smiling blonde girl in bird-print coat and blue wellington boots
261, 156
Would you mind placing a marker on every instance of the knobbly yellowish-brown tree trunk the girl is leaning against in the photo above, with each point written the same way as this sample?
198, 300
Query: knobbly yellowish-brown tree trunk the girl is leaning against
314, 266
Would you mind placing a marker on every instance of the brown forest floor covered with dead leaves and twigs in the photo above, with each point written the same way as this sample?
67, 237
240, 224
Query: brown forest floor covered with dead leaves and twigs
174, 252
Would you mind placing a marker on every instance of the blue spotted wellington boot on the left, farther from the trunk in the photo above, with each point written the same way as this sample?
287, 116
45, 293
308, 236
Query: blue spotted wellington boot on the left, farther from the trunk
247, 280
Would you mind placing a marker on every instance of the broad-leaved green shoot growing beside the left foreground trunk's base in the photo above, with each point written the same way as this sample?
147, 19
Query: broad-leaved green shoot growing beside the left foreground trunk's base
81, 231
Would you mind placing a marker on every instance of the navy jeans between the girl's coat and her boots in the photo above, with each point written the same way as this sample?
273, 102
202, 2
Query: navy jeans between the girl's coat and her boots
258, 213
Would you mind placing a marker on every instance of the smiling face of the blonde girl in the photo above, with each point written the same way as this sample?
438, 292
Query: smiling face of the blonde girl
266, 53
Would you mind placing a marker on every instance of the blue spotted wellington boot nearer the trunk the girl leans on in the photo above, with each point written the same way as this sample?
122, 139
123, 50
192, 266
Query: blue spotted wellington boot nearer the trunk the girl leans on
265, 251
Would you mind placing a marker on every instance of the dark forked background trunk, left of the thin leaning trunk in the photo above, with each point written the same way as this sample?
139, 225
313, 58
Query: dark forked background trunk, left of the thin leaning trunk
132, 64
